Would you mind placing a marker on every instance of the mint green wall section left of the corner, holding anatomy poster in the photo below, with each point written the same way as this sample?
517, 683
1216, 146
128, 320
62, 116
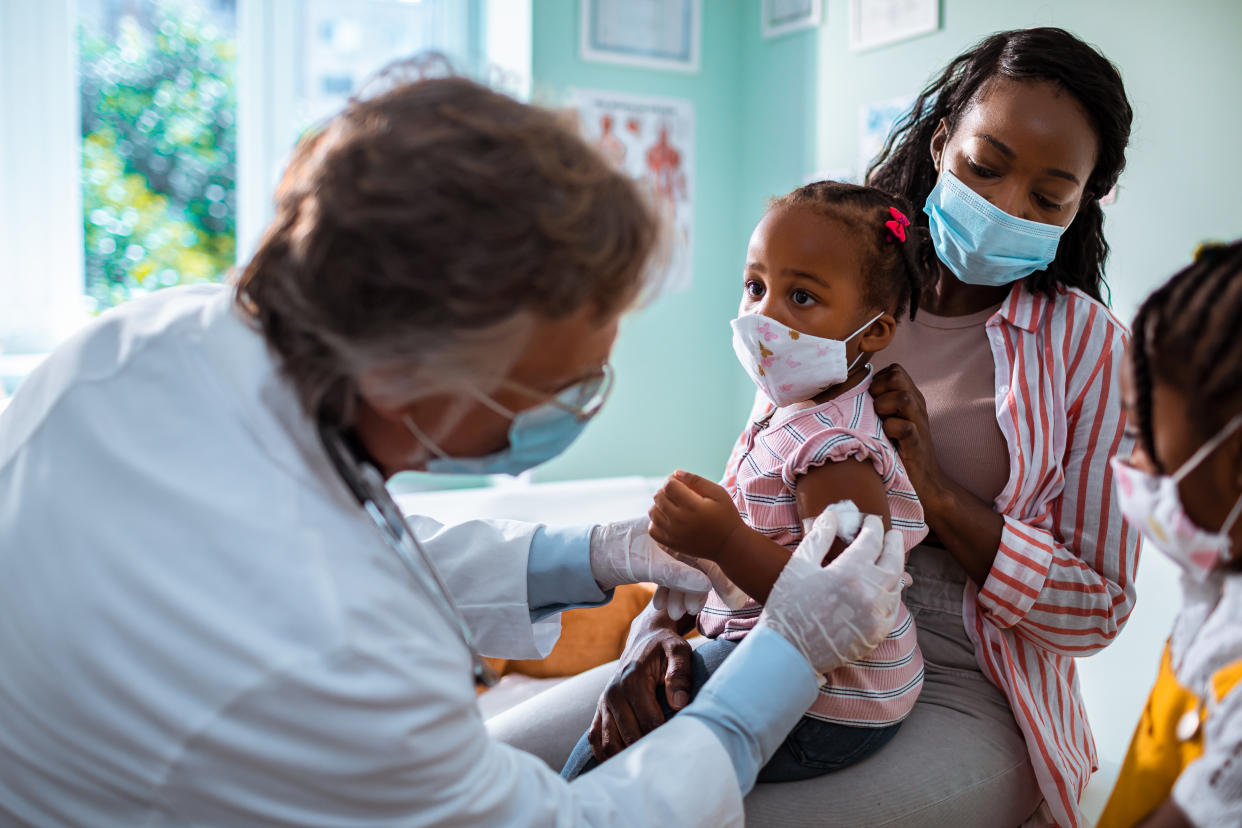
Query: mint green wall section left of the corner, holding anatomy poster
679, 400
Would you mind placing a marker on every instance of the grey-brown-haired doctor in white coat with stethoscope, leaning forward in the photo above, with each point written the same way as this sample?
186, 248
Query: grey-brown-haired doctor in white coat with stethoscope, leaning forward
213, 613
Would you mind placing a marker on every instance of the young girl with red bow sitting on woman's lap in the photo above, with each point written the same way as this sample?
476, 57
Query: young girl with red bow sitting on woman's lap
829, 271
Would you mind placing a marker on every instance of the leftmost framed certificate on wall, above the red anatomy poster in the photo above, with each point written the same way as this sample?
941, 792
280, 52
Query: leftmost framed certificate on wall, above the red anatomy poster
651, 34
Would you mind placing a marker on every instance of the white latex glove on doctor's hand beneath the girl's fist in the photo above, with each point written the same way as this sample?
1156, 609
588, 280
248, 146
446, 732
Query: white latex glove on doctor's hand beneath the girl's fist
624, 553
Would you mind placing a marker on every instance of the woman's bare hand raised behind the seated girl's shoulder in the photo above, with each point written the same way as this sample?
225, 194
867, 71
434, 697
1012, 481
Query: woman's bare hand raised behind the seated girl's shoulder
901, 405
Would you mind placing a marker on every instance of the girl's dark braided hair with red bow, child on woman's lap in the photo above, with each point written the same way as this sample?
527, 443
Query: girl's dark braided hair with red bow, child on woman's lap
895, 271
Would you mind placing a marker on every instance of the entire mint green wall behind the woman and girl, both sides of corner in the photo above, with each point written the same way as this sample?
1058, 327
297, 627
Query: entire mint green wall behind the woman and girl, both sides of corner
771, 114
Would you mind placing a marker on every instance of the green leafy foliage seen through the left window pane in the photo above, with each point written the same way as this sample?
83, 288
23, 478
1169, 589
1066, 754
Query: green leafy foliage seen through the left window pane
160, 152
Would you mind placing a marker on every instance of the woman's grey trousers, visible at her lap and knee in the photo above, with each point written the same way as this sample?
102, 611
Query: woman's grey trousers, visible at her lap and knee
959, 759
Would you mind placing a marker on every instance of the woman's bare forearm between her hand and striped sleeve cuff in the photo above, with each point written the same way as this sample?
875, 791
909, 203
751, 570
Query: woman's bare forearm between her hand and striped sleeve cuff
969, 528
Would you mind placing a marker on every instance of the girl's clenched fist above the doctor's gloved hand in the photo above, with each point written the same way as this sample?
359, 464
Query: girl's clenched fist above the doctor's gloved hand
694, 516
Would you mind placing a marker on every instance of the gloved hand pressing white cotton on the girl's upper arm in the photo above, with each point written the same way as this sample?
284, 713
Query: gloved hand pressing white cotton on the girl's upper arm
838, 614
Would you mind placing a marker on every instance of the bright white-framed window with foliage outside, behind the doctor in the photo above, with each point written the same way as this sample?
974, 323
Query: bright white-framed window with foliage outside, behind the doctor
145, 137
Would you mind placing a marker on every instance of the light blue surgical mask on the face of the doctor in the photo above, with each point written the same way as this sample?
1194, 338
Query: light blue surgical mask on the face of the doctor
536, 435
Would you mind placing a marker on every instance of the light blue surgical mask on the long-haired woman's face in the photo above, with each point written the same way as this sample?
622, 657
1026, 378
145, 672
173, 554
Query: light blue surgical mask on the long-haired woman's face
981, 243
